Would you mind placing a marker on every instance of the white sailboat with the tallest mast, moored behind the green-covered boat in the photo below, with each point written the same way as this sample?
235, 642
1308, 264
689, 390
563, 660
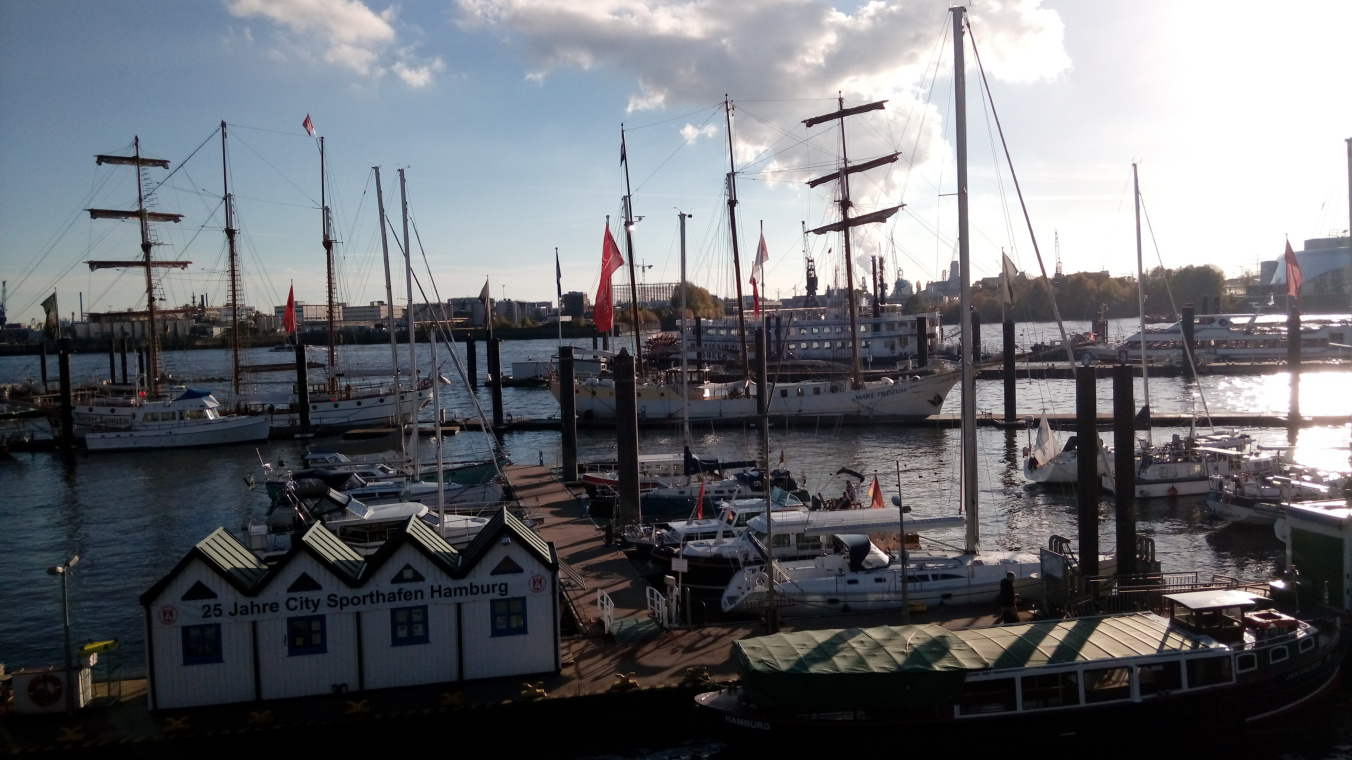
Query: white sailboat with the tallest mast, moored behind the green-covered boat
858, 575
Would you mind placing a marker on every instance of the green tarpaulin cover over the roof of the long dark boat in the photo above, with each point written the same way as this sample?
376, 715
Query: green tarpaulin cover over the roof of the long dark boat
924, 666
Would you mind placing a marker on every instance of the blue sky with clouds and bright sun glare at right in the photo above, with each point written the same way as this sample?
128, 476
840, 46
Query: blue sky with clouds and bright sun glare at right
506, 117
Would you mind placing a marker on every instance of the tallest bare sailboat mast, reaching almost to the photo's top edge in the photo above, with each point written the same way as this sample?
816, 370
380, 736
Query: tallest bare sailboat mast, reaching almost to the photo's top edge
969, 344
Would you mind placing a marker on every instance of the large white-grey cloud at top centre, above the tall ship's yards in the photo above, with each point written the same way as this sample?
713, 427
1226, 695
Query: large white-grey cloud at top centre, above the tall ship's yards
781, 53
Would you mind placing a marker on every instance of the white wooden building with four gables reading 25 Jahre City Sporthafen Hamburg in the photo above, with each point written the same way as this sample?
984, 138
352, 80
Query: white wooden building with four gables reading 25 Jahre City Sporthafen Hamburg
222, 627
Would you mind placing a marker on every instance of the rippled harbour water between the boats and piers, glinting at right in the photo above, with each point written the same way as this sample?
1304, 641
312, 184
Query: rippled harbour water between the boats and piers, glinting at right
132, 517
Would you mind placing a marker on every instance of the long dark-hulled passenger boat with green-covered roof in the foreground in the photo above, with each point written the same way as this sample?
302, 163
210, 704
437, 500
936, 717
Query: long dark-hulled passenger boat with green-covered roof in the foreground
1216, 661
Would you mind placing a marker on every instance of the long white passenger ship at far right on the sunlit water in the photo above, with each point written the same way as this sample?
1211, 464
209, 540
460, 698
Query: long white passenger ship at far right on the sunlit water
1238, 337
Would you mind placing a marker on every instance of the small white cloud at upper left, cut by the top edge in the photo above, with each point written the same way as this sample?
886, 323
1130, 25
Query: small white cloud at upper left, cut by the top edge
345, 33
